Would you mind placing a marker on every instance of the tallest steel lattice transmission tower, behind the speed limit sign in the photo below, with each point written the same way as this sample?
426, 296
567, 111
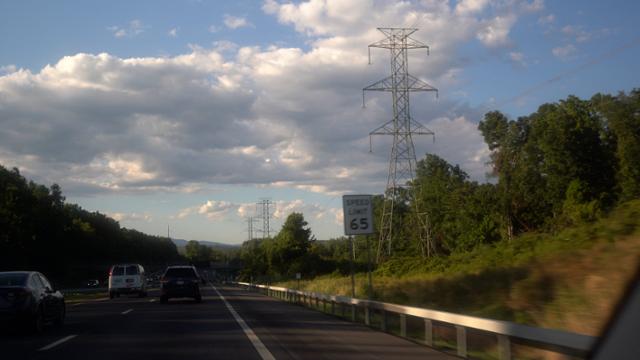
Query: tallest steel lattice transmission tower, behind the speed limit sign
402, 162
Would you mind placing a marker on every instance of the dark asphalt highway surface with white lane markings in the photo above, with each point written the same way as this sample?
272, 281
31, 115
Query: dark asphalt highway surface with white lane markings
230, 323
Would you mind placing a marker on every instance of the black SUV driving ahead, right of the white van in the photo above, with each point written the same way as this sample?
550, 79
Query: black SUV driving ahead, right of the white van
180, 281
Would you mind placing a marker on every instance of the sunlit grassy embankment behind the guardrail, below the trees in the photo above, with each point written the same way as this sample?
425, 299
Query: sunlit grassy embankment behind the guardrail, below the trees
570, 280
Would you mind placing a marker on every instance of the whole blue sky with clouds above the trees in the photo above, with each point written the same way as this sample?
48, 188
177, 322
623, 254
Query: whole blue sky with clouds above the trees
185, 114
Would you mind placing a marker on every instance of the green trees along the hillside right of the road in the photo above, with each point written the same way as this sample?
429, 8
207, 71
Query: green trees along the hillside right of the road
568, 163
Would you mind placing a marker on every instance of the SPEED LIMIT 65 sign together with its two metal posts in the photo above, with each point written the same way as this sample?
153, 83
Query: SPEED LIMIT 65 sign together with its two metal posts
358, 220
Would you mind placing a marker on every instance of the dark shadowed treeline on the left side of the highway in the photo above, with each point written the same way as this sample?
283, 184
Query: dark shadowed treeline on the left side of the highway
38, 230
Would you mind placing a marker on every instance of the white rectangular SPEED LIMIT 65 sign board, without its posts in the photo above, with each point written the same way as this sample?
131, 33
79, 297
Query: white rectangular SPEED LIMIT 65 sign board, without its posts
358, 214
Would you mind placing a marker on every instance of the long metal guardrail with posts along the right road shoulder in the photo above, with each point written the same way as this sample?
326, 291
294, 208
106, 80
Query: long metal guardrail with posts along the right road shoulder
506, 332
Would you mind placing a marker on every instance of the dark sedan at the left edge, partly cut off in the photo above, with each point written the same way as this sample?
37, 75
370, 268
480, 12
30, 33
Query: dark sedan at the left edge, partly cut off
27, 299
